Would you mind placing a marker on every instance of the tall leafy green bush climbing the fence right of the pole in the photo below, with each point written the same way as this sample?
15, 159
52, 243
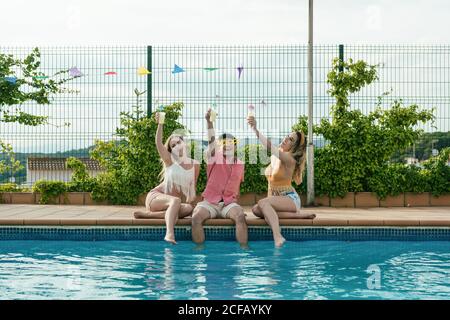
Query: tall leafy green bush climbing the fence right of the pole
356, 156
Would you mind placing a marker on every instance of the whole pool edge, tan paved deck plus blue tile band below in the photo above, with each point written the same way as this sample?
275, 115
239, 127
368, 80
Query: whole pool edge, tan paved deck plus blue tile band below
117, 222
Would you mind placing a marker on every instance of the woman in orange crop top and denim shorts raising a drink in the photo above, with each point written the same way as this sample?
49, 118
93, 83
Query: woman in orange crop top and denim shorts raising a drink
287, 164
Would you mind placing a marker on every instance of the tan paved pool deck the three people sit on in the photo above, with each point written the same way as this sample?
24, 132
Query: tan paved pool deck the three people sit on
73, 215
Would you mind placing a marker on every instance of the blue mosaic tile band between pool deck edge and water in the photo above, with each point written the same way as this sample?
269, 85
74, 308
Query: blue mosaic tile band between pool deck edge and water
223, 233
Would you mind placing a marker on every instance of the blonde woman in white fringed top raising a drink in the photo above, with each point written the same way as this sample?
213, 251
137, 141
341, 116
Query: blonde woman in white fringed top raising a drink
172, 198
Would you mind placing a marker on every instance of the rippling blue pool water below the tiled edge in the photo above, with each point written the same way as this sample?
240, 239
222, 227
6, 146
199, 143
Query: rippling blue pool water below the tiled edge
222, 270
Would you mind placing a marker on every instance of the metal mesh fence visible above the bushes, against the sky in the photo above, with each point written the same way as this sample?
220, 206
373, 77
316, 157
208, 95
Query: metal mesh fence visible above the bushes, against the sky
272, 78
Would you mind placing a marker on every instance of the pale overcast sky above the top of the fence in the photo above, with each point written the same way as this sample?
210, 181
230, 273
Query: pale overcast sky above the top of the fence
56, 22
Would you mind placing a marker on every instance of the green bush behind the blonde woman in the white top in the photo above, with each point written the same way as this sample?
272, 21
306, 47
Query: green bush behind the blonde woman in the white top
132, 163
